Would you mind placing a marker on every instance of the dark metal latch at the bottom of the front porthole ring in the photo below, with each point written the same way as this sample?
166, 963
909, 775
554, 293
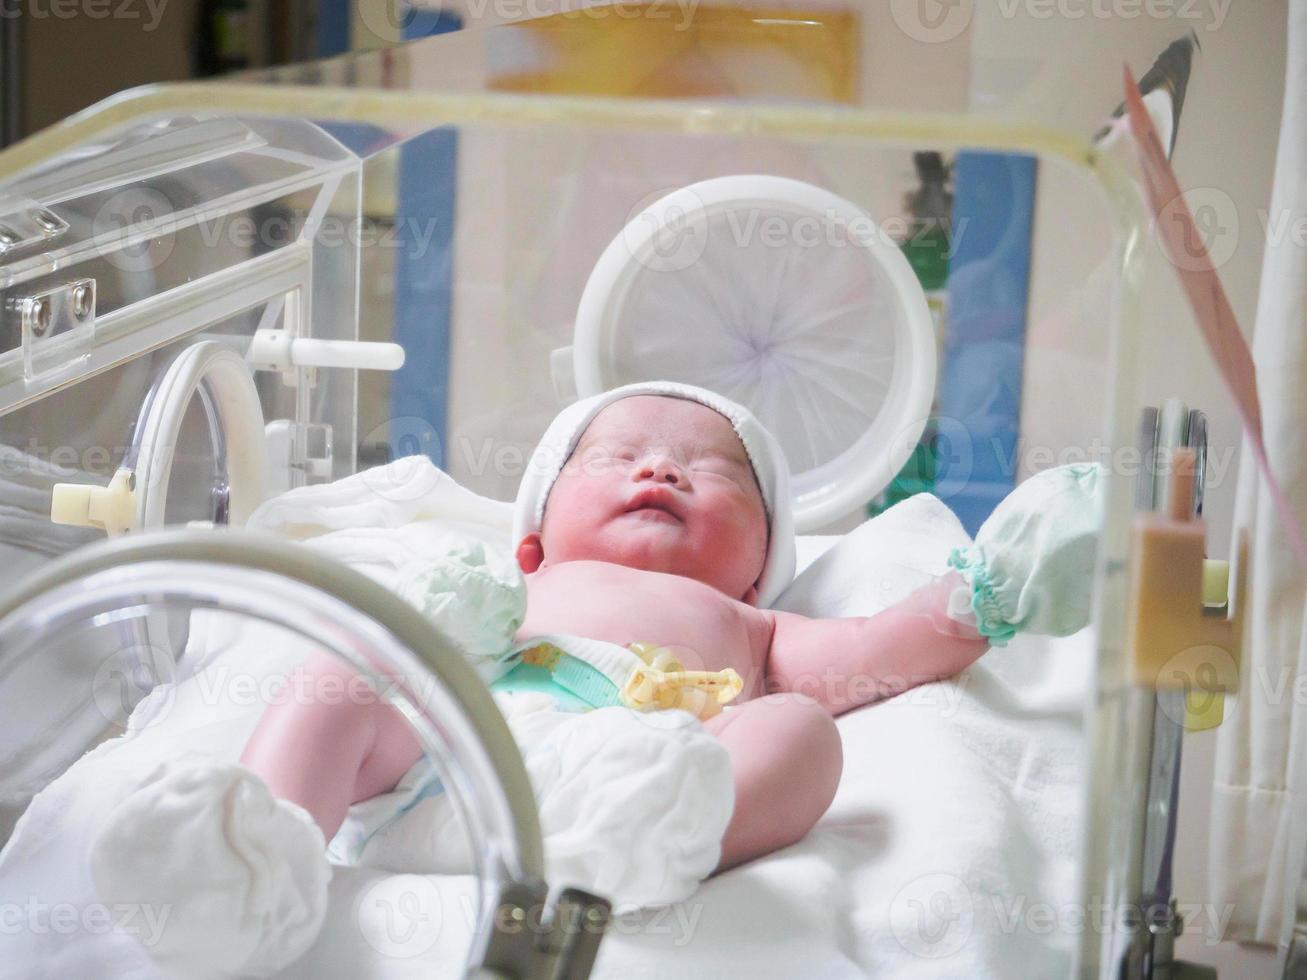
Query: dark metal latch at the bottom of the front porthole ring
531, 941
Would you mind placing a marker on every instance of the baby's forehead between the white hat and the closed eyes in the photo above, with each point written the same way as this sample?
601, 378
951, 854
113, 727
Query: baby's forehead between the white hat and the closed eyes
665, 421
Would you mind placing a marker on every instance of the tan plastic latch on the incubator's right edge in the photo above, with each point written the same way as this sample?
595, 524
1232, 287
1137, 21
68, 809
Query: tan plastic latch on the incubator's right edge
1181, 636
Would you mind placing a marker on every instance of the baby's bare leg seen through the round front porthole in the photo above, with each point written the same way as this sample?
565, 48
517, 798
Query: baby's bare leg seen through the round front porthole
334, 748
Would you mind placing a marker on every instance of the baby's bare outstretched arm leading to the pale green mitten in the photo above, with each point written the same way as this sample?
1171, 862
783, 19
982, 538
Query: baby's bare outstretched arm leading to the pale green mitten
848, 663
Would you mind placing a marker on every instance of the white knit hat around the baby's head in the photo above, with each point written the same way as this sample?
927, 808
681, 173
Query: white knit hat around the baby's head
765, 454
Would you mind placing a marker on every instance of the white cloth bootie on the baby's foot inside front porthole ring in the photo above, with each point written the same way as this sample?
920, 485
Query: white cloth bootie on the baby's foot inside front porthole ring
240, 875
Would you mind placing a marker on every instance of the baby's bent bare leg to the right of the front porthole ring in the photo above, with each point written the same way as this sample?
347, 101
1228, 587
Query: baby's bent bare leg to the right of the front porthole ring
787, 759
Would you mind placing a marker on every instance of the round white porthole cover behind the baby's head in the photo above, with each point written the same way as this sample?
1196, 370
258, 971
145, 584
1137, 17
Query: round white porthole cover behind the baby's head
786, 299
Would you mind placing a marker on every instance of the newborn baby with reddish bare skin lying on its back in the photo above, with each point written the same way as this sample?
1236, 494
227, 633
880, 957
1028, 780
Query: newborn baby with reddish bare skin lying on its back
659, 531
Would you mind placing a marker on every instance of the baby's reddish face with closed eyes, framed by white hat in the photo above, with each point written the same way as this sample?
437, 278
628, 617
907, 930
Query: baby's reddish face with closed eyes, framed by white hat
665, 485
